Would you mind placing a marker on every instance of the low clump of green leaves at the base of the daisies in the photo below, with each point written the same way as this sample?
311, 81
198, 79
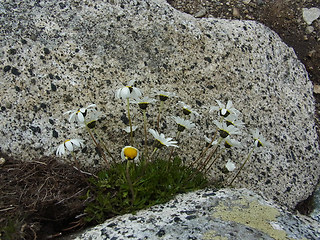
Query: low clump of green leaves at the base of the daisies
126, 188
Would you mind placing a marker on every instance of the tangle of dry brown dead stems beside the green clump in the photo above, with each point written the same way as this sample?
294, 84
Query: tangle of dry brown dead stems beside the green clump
40, 198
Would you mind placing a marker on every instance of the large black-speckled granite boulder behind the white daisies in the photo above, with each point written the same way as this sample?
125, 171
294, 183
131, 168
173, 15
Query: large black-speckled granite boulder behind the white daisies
56, 56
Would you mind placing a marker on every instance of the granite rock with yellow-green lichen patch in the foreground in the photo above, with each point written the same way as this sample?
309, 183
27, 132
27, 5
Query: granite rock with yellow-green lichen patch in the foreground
225, 214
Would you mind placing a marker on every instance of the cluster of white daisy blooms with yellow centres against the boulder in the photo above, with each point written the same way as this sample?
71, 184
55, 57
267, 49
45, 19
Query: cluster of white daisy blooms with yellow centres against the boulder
229, 125
